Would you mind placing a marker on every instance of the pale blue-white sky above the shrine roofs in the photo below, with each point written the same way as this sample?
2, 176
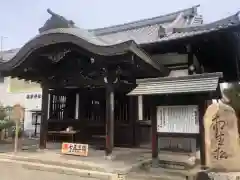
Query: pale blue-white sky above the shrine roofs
20, 19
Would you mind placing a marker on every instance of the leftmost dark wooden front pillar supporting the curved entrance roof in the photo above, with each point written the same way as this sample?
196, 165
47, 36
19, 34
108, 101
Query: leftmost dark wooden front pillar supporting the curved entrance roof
44, 118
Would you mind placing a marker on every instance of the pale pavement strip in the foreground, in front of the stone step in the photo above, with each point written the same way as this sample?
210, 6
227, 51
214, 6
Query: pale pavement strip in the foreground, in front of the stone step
22, 170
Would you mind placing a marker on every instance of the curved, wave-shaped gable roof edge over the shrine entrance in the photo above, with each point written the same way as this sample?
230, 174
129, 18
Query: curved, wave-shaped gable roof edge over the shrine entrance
83, 39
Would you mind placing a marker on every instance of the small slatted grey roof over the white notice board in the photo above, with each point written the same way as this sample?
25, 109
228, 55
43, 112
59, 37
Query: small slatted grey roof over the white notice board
175, 85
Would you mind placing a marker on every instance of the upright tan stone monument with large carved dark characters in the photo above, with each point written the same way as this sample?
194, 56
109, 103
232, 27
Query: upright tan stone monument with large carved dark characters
221, 138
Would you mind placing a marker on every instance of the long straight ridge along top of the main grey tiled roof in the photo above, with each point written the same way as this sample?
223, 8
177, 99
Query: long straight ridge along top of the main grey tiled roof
144, 22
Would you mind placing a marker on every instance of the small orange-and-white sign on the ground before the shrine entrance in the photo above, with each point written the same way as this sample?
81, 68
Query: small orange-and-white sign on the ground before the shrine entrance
75, 149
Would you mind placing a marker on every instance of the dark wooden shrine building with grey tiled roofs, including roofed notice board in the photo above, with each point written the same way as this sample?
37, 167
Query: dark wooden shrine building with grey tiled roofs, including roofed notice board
141, 84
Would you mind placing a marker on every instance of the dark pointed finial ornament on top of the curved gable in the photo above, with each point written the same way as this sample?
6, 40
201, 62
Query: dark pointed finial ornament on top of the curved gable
56, 21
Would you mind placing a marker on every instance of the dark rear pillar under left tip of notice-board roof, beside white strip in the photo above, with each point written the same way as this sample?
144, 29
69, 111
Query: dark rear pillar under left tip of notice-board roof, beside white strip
133, 117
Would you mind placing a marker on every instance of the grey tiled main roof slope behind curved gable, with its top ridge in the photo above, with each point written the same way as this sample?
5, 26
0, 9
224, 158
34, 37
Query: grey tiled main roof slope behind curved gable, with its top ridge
146, 31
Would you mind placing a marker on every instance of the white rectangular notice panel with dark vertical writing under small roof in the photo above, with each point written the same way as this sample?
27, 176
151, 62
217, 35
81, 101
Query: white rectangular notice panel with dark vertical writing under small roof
178, 119
